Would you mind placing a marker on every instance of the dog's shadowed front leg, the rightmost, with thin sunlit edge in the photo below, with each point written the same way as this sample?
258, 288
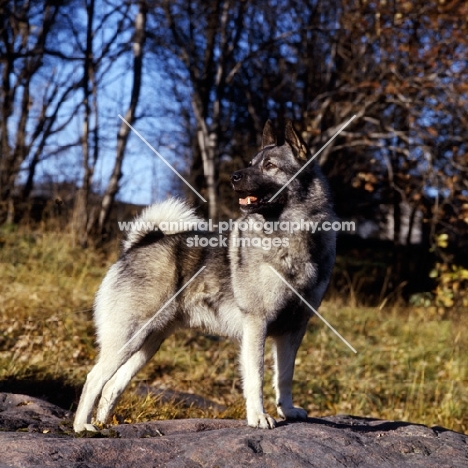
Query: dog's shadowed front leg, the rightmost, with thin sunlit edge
284, 353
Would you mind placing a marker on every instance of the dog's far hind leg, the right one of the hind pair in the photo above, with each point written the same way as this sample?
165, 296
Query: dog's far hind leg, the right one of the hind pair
118, 383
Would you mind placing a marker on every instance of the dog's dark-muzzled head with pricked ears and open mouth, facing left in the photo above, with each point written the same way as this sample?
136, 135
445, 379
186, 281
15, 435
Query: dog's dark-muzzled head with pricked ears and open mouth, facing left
281, 157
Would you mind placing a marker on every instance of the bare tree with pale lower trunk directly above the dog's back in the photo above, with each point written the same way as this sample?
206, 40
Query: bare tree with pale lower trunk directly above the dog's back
207, 37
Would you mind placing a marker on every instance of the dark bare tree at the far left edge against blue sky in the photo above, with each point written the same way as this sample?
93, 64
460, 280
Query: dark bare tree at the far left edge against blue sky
26, 121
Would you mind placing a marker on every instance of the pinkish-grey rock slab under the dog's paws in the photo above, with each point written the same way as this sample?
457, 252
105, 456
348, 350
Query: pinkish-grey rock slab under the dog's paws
335, 441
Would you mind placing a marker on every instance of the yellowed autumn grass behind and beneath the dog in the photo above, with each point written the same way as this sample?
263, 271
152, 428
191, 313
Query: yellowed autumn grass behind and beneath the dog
411, 363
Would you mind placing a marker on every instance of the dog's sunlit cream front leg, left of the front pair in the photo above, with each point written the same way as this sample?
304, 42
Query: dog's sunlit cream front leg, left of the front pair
252, 357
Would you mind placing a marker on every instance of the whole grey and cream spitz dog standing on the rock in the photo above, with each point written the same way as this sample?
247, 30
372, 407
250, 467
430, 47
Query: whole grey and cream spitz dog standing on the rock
237, 294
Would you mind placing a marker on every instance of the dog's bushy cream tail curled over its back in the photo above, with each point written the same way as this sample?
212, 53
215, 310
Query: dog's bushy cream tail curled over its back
168, 217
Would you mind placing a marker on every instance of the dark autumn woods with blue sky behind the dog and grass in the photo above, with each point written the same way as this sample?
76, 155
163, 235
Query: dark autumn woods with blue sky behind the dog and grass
217, 70
